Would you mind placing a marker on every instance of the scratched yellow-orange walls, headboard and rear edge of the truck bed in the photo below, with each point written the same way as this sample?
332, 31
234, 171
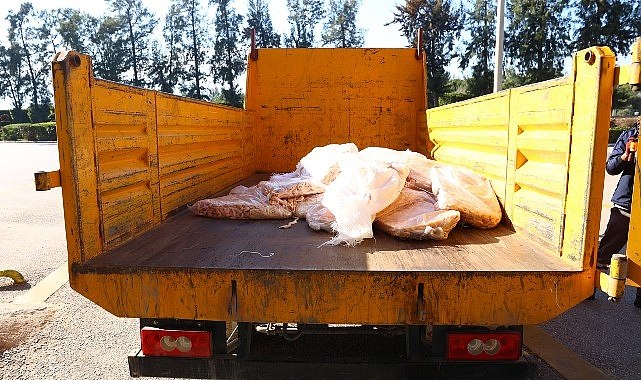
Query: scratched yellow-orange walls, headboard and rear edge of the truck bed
130, 157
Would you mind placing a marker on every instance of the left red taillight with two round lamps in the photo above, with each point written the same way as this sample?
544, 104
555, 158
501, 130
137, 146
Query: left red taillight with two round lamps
159, 342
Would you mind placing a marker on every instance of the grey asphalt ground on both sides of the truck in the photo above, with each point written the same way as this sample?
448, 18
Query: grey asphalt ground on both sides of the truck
68, 337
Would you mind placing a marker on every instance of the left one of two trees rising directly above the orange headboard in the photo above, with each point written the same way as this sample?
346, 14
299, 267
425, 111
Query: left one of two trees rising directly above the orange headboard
303, 17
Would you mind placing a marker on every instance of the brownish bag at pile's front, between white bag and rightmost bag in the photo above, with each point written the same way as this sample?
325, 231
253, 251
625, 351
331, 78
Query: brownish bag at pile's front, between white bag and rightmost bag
415, 215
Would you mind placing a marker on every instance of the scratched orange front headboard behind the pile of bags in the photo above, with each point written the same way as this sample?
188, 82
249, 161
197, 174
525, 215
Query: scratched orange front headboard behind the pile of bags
303, 98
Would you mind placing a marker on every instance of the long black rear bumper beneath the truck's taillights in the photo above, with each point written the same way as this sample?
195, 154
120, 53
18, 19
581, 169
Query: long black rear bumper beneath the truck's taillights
230, 367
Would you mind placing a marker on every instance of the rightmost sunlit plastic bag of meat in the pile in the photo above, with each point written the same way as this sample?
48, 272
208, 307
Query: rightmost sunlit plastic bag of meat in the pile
461, 189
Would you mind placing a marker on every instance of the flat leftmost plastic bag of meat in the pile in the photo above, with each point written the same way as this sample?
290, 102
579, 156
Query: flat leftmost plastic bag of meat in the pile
241, 203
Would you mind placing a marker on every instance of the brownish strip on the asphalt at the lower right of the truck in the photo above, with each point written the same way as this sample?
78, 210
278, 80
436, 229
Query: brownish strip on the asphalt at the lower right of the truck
567, 362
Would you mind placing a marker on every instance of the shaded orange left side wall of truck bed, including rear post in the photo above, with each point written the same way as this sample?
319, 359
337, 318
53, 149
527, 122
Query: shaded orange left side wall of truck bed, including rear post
129, 157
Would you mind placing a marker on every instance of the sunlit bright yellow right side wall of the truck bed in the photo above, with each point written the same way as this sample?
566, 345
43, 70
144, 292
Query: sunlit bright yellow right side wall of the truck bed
543, 148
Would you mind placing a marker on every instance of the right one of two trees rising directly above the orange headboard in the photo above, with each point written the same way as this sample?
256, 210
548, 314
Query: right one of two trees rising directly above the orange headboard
340, 28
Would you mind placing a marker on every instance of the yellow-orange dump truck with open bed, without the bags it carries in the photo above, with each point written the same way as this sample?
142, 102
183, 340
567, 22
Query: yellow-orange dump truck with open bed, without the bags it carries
243, 299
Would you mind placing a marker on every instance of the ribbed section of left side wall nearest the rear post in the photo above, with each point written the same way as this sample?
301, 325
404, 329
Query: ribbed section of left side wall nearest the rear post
124, 123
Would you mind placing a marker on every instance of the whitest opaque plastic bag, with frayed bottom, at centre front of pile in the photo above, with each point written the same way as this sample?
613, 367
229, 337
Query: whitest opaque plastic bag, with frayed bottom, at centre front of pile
361, 189
